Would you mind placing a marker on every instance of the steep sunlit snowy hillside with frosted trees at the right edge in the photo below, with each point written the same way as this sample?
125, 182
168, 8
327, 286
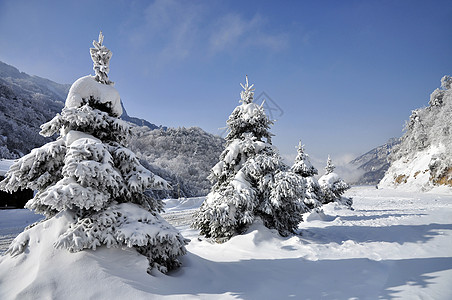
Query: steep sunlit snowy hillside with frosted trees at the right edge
423, 159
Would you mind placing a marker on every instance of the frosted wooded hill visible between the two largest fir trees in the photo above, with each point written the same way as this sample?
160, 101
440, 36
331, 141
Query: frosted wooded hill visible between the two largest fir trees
183, 156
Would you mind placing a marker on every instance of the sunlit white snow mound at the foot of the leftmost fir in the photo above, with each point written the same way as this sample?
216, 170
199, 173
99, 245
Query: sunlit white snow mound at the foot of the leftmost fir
44, 272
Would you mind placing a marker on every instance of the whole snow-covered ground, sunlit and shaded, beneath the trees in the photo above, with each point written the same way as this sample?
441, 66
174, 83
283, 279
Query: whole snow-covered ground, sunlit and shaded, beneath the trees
394, 245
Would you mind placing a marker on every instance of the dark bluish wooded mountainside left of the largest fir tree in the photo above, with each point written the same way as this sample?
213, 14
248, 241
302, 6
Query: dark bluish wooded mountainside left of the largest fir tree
25, 103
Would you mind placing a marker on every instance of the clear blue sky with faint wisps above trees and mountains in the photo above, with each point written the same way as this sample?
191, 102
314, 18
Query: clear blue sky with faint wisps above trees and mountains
342, 75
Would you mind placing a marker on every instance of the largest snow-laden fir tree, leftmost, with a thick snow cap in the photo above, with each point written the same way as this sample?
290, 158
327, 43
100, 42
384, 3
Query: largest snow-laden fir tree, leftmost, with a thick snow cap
90, 175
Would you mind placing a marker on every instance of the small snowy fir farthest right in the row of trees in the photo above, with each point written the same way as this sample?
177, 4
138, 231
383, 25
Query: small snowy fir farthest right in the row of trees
333, 187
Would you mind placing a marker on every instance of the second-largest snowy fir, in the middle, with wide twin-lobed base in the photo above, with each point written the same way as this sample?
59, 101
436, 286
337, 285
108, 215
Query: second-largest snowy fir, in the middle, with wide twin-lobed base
250, 180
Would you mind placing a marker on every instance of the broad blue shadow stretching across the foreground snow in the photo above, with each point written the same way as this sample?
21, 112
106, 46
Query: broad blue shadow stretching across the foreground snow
266, 278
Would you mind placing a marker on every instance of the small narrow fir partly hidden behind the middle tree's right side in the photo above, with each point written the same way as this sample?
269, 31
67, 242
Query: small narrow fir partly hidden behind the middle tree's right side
303, 167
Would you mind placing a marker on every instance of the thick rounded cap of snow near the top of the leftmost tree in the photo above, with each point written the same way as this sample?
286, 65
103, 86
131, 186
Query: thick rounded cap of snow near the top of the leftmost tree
87, 87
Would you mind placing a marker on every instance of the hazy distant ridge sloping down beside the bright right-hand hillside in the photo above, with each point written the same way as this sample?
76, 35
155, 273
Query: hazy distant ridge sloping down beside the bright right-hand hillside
374, 163
